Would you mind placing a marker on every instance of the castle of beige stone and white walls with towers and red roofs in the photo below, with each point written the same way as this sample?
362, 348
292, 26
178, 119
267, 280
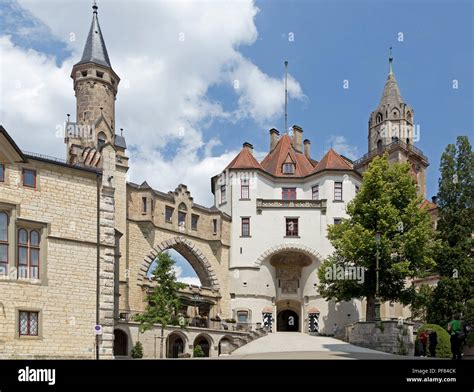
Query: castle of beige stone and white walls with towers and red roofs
77, 240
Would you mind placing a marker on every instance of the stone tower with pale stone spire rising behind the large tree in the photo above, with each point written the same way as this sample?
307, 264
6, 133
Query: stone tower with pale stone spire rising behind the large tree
392, 130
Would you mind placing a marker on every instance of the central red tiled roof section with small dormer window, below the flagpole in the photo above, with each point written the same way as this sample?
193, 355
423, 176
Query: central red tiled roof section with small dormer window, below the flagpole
285, 152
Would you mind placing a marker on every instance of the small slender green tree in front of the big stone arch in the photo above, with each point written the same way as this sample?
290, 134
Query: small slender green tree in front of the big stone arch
163, 300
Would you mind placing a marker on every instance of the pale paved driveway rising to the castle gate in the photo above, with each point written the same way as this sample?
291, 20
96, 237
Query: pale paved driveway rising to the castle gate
295, 345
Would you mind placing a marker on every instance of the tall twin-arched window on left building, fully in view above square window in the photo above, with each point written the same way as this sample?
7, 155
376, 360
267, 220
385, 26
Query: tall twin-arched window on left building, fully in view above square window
28, 253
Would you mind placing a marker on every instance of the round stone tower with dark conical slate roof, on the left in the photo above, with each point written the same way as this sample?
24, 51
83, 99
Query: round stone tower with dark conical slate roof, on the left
95, 86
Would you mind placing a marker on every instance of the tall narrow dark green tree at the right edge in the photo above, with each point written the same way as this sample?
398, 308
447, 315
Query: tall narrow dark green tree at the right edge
455, 228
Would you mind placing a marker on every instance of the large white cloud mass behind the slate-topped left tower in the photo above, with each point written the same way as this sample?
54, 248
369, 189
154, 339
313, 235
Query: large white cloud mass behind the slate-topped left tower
163, 95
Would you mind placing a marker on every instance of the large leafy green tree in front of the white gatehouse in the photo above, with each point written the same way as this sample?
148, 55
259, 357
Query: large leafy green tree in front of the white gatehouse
386, 203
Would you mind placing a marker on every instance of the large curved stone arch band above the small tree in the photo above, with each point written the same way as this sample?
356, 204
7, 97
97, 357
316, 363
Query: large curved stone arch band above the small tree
193, 255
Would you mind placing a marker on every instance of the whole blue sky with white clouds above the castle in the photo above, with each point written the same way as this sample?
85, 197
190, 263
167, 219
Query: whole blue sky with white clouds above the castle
199, 78
